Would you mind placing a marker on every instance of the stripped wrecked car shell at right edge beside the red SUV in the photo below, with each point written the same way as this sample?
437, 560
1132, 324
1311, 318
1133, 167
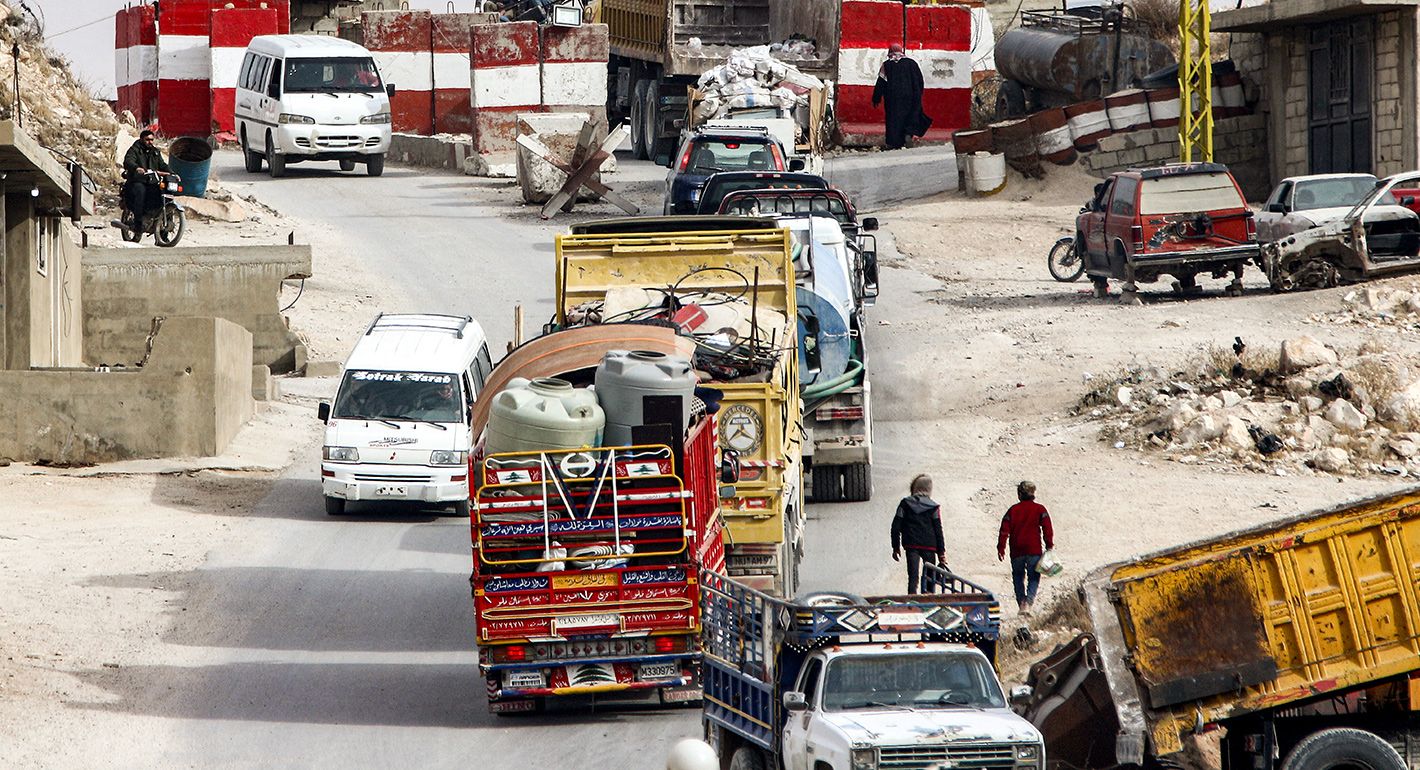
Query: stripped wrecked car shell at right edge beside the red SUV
1380, 237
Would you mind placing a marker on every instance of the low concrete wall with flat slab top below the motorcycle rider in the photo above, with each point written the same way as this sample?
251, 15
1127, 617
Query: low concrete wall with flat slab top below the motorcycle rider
126, 289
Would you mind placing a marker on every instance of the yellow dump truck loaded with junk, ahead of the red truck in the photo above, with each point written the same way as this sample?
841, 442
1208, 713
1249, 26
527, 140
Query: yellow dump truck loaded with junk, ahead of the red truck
726, 285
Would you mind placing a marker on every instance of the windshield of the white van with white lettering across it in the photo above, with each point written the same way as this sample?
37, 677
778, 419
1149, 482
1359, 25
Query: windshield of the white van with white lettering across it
422, 397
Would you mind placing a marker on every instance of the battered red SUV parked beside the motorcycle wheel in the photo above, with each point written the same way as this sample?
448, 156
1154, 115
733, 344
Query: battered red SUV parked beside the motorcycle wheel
1181, 219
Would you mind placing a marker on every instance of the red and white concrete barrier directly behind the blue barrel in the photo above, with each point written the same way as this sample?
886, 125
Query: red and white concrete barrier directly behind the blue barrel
184, 67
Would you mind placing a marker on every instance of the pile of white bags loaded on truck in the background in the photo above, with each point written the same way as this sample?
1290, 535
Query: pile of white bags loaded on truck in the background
753, 80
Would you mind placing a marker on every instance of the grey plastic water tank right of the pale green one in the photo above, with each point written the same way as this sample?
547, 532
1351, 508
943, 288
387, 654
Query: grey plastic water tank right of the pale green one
626, 377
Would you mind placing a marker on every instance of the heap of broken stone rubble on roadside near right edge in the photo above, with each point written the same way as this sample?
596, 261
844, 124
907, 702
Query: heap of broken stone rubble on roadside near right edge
1300, 408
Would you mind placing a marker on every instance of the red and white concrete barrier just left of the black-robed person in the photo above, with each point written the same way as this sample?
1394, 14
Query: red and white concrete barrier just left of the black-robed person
868, 28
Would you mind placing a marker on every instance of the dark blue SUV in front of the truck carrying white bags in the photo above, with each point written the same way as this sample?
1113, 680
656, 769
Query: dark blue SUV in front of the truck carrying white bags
715, 150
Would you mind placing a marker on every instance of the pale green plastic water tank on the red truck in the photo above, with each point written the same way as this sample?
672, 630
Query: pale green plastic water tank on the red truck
545, 414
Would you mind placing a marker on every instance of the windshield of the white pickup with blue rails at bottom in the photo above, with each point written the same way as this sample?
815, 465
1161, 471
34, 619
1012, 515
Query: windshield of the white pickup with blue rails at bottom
915, 681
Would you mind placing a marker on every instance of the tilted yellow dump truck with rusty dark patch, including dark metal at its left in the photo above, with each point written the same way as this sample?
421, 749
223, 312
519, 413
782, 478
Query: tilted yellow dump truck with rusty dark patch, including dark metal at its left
1300, 639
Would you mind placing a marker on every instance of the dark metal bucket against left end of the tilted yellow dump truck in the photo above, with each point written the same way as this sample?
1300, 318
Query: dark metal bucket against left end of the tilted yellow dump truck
1070, 704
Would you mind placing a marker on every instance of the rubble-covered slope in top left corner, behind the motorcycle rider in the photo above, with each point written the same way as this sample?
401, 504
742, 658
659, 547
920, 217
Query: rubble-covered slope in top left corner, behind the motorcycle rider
56, 109
